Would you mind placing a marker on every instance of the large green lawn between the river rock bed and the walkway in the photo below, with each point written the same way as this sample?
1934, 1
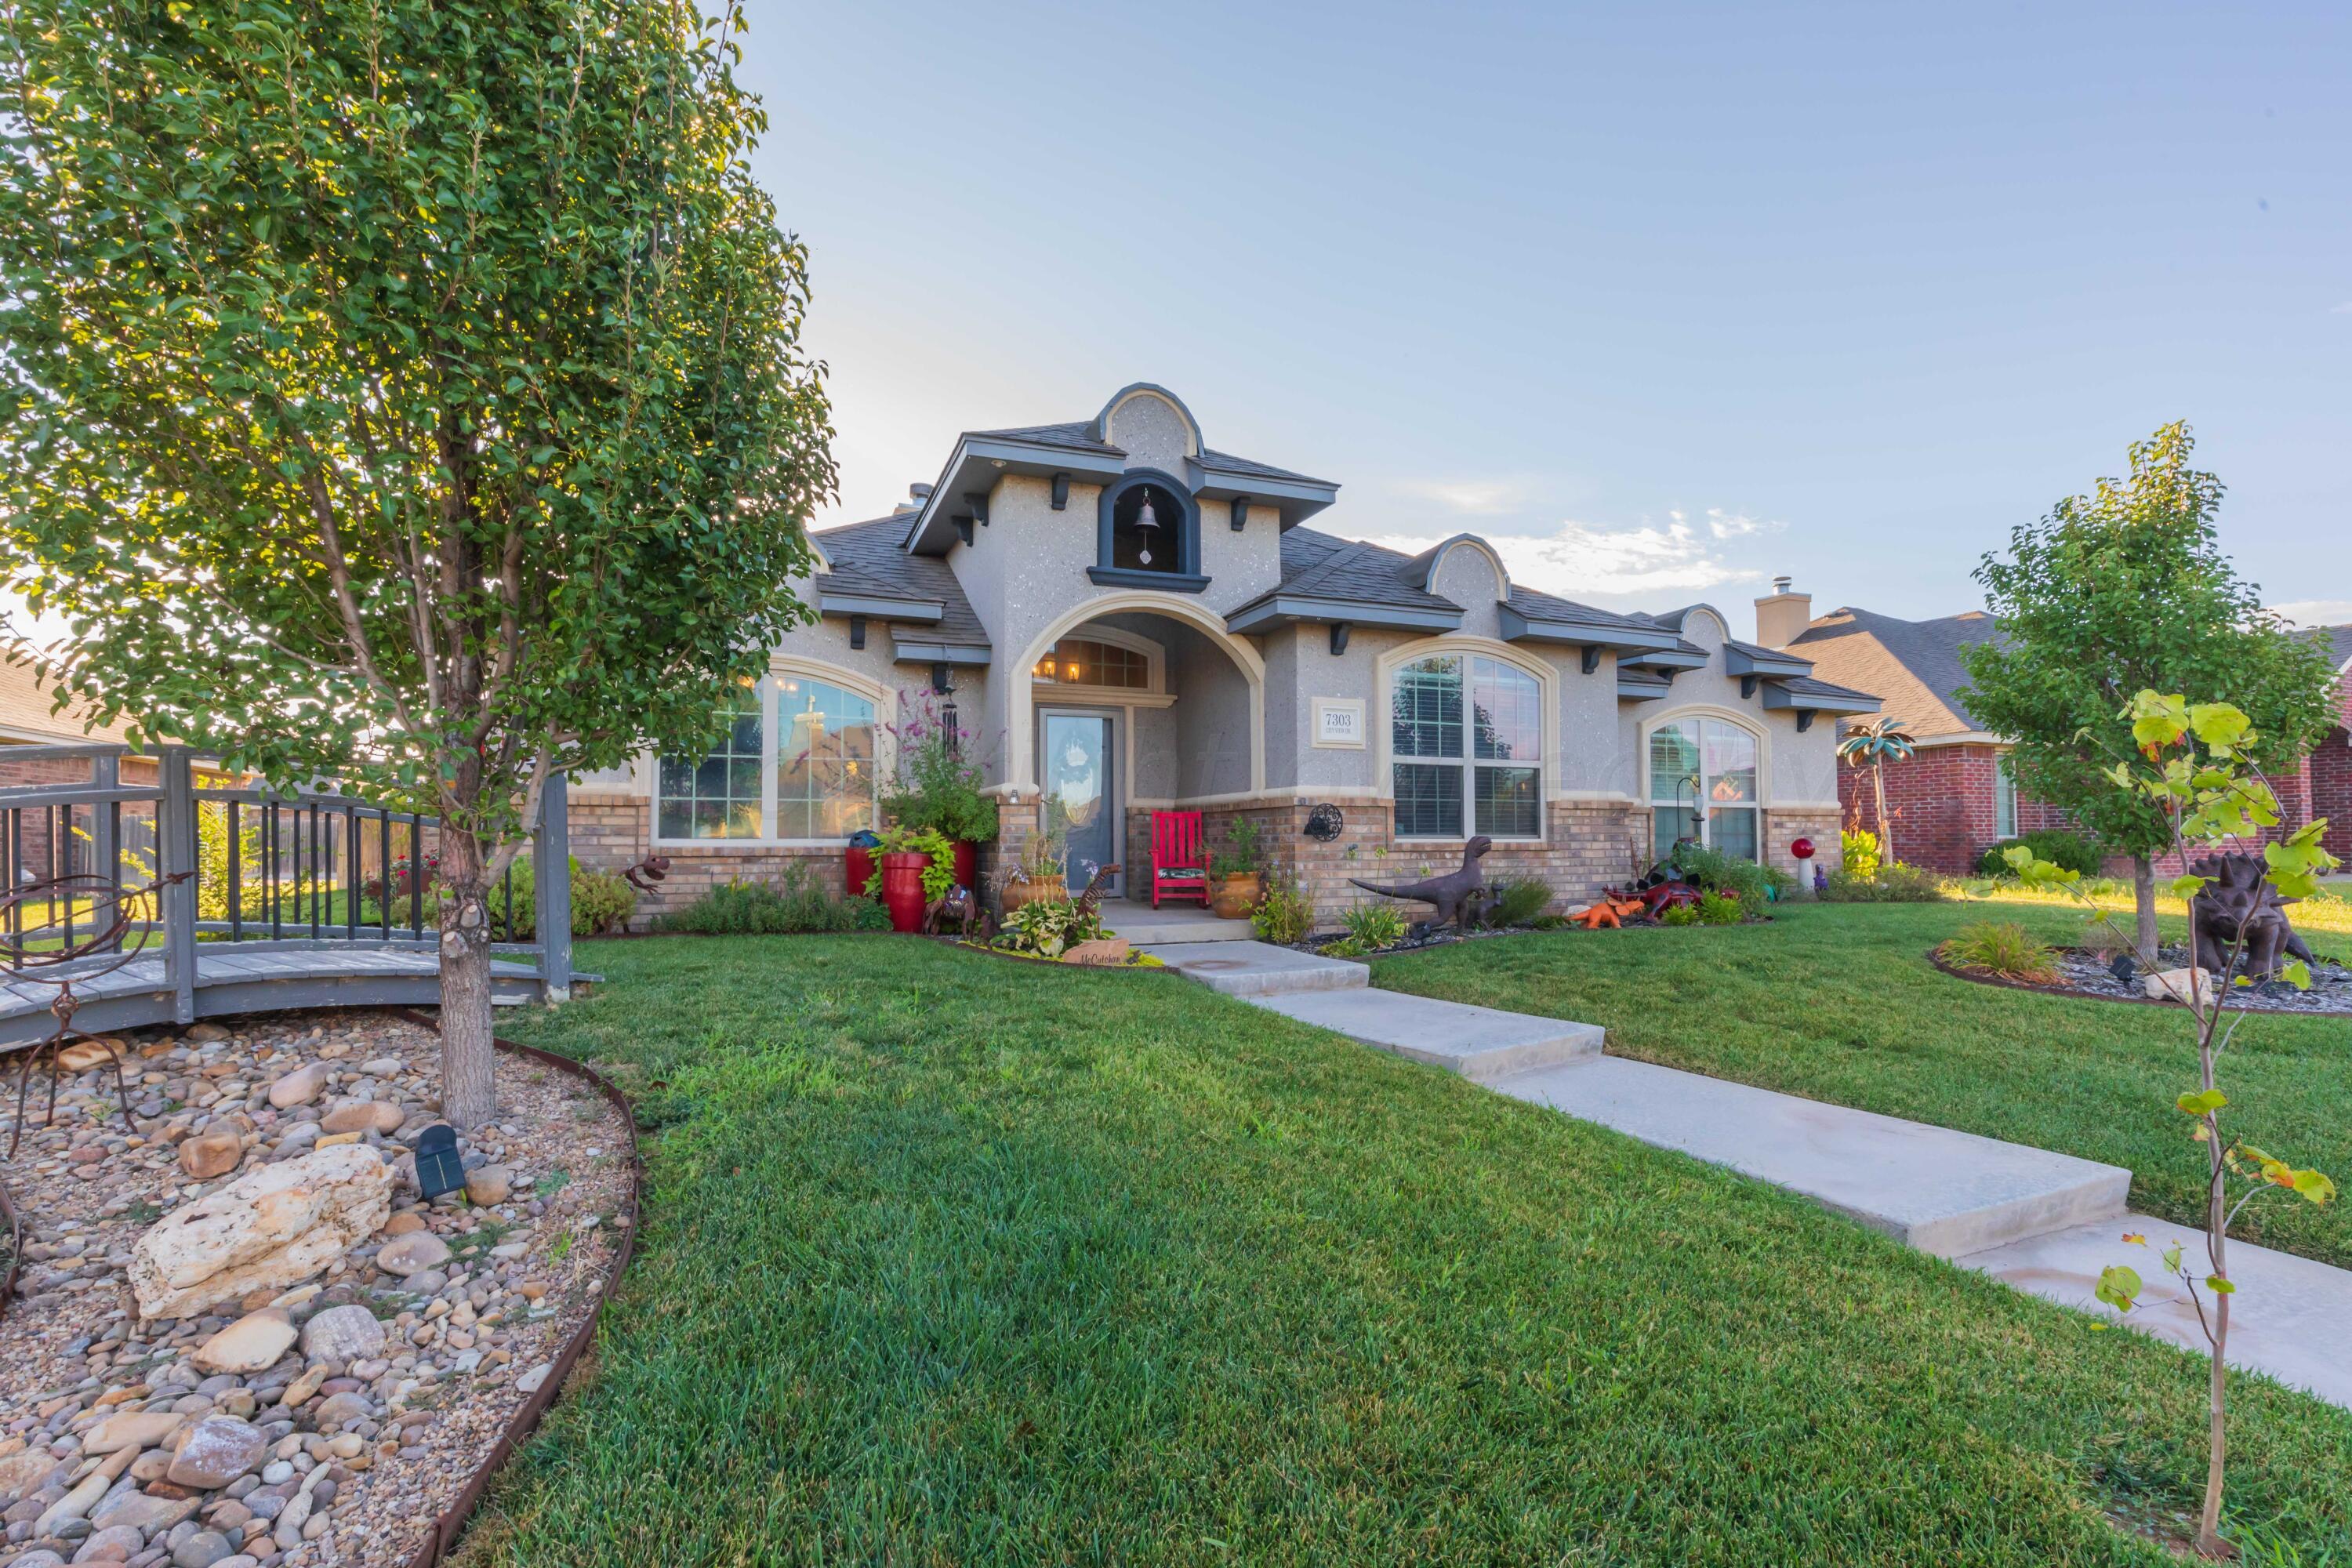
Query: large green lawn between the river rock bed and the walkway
961, 1261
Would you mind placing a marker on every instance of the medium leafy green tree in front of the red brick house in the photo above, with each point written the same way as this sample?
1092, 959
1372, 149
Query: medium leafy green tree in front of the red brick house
2120, 591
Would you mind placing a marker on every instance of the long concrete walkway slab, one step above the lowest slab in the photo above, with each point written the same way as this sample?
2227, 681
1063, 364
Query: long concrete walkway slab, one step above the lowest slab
1939, 1191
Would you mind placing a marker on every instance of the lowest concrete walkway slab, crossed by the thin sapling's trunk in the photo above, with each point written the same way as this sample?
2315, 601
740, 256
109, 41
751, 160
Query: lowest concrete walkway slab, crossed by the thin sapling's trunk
2290, 1318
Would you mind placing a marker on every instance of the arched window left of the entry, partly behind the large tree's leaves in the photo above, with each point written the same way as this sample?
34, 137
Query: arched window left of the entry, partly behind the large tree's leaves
796, 765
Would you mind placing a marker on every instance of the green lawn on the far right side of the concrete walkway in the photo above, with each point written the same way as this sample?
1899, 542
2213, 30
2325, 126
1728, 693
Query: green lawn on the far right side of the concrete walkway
1838, 1003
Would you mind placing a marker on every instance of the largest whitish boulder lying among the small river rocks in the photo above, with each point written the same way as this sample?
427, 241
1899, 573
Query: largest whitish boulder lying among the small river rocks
265, 1231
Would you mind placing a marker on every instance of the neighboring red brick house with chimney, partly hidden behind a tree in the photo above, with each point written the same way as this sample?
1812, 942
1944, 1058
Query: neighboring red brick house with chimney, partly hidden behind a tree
1956, 798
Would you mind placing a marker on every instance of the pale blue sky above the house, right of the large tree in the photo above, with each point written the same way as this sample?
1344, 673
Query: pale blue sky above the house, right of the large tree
1666, 297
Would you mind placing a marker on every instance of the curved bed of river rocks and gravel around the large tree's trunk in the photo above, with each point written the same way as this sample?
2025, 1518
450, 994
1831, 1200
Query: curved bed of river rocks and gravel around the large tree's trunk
323, 1423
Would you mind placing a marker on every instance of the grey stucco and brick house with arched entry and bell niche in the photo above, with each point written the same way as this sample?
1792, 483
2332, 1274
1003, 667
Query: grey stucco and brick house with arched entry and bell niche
1130, 619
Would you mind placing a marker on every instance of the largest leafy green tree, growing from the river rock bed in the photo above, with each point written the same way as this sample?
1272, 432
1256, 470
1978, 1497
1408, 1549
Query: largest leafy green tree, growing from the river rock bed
403, 391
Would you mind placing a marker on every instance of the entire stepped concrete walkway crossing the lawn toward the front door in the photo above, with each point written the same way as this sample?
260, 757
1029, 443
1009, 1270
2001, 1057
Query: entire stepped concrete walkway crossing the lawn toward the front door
2038, 1221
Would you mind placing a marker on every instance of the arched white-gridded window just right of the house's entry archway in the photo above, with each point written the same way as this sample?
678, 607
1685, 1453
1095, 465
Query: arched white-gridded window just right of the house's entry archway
1466, 737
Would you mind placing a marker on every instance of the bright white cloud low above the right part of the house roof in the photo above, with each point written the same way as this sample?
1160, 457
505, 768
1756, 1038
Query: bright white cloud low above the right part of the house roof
1645, 565
